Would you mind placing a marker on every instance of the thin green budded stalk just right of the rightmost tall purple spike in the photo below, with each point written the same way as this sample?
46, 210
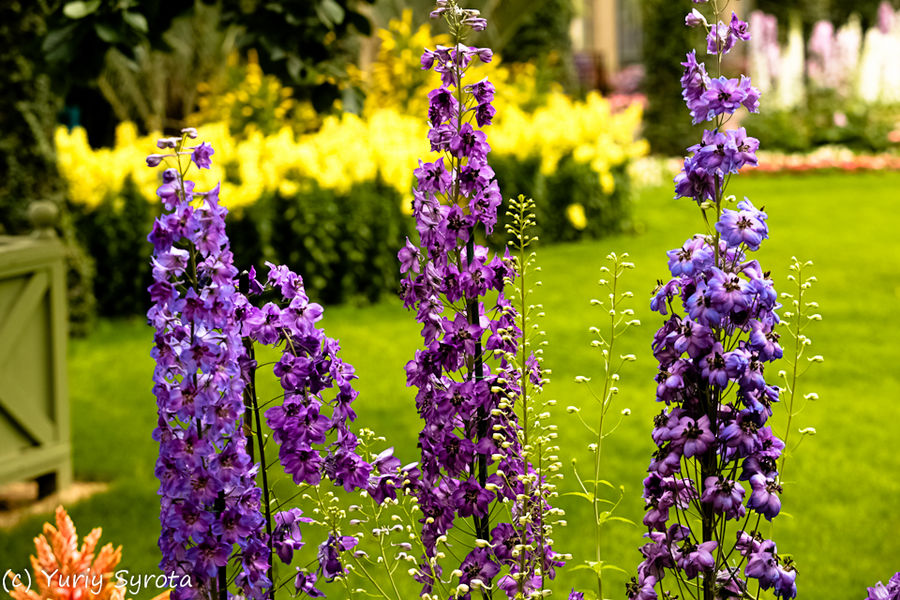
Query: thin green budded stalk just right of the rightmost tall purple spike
795, 322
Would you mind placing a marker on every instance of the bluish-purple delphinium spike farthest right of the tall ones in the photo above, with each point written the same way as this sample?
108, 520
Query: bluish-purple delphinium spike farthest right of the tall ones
712, 351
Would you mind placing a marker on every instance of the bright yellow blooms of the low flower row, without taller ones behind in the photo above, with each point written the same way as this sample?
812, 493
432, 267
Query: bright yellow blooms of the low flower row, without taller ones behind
349, 149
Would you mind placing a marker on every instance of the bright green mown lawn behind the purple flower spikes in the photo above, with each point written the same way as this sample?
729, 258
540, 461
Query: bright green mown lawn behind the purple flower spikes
843, 485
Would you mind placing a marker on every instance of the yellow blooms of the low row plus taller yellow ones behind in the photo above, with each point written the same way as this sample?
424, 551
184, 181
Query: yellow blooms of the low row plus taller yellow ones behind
386, 142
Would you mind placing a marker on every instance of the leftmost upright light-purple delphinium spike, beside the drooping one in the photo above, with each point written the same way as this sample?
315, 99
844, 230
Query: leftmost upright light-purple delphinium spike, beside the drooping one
210, 501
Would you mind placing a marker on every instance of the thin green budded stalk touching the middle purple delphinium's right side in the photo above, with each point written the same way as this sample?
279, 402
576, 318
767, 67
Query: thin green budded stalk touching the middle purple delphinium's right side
532, 514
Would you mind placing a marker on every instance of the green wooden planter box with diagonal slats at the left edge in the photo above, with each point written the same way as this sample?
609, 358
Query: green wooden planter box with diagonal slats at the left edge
34, 404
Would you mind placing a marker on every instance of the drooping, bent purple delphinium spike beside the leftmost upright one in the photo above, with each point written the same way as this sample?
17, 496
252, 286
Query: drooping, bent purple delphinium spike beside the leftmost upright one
309, 366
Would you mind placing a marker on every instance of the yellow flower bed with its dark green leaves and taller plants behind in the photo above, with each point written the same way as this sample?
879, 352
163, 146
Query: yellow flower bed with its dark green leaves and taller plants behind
328, 191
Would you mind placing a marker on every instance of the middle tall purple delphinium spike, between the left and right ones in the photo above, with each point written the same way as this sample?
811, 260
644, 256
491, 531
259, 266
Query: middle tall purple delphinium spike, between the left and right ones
471, 450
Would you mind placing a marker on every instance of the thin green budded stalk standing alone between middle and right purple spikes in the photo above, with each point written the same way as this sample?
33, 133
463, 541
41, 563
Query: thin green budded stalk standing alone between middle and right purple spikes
620, 319
